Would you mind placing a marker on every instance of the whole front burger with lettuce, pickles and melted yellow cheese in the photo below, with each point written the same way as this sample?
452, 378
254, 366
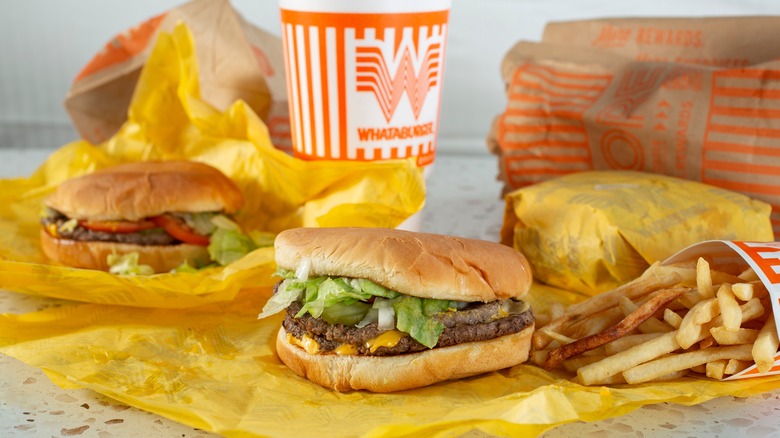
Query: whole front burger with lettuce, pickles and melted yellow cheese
387, 310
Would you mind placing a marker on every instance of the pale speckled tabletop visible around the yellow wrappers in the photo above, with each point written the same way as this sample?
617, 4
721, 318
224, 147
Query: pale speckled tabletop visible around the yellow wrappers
463, 200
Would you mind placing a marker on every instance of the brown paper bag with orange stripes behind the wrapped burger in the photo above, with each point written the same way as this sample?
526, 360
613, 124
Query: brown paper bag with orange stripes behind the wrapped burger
576, 108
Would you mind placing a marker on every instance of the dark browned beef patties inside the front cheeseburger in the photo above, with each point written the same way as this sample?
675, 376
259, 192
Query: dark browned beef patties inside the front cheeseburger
477, 322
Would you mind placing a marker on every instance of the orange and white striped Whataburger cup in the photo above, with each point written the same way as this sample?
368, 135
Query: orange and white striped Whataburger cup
364, 77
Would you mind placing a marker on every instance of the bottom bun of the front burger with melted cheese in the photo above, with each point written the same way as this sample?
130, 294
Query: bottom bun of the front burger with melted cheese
407, 371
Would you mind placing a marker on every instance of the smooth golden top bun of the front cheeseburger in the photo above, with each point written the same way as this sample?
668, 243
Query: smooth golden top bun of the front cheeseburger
418, 264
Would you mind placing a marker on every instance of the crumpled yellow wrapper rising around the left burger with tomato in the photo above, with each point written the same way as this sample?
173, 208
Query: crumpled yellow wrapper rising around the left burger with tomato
169, 121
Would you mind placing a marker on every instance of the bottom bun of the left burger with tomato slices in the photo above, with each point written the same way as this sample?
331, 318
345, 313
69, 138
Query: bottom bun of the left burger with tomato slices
94, 255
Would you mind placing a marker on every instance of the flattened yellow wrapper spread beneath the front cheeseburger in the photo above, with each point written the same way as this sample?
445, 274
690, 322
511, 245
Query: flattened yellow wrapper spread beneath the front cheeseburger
214, 367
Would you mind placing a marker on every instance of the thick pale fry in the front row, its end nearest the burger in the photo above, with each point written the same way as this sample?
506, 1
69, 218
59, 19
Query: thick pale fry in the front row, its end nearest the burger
599, 372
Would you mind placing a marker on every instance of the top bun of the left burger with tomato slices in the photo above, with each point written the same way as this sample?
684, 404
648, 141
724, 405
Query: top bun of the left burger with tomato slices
134, 191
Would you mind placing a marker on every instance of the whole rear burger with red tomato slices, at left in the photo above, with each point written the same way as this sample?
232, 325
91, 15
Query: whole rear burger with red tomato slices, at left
164, 214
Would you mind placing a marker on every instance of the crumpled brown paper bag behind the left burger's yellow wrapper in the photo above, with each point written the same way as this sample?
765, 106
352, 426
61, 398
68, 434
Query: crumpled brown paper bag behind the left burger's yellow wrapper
237, 61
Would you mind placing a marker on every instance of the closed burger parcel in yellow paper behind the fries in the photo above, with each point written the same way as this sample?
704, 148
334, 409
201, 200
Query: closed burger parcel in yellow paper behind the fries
593, 231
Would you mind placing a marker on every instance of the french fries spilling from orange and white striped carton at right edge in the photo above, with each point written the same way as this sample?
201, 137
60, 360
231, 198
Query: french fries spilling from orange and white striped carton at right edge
710, 310
